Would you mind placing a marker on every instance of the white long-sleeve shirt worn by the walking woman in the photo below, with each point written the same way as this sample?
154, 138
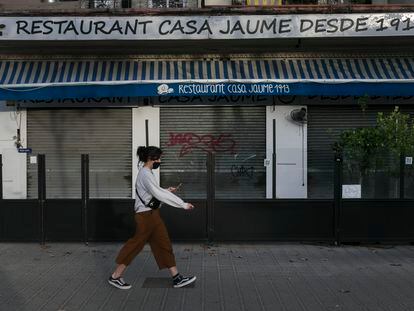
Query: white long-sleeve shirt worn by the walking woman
147, 188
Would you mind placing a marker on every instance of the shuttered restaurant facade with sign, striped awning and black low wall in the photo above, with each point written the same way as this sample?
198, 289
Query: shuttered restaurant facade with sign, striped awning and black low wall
246, 108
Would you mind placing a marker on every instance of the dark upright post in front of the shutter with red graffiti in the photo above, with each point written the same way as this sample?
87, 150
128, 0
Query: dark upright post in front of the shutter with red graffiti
210, 195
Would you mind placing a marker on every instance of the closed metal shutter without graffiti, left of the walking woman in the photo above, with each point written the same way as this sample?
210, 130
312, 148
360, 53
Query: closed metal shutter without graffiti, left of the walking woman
63, 135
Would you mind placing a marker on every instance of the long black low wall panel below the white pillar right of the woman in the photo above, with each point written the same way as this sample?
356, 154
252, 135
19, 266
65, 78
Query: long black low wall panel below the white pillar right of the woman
273, 220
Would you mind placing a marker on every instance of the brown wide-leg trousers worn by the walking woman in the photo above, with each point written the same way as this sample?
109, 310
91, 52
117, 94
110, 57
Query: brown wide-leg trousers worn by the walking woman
149, 228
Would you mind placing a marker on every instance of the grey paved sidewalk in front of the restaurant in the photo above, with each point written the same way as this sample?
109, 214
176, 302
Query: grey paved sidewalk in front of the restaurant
230, 277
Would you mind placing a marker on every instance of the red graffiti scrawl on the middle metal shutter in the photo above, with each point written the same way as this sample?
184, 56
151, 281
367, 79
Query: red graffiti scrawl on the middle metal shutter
209, 143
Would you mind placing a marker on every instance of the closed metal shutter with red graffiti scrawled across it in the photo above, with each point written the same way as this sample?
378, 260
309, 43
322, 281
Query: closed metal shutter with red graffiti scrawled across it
237, 137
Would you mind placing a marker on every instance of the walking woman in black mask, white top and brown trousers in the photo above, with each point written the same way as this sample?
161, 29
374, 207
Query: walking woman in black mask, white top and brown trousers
149, 225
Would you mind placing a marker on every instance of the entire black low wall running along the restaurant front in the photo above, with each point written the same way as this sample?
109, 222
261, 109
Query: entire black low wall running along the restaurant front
234, 220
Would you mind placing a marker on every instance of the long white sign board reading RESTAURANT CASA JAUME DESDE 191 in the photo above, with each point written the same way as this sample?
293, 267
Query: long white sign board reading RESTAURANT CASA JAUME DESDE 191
206, 27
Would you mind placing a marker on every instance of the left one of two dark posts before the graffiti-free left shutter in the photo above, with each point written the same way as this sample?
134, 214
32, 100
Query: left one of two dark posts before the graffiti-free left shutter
41, 193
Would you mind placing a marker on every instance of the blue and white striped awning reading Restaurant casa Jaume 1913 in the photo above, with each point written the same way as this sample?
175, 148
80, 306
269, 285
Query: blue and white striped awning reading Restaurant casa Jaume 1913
51, 79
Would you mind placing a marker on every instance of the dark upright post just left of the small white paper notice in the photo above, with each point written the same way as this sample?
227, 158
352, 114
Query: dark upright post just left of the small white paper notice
337, 198
